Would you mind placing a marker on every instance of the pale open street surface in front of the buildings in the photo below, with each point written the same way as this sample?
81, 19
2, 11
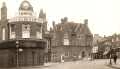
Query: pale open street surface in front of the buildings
81, 64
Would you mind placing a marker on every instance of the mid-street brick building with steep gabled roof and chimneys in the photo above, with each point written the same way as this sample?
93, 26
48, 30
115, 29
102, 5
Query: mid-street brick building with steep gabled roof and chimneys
70, 41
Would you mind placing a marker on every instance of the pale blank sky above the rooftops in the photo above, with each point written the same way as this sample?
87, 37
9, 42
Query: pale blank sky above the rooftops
103, 15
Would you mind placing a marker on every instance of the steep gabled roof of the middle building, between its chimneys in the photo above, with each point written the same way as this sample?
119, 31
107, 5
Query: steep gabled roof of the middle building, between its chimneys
72, 27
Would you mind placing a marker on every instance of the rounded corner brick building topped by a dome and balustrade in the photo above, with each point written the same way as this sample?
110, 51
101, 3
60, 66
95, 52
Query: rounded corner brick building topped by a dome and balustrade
21, 38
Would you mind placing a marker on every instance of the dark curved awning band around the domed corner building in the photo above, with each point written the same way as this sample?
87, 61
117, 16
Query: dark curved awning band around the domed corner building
23, 44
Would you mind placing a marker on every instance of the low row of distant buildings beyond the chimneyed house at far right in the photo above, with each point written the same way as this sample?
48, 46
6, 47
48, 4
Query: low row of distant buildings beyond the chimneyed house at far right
105, 44
